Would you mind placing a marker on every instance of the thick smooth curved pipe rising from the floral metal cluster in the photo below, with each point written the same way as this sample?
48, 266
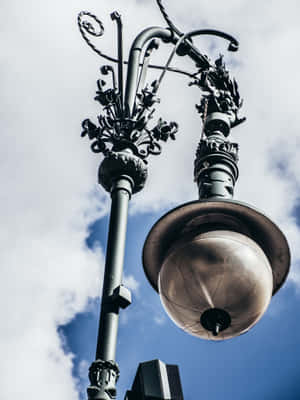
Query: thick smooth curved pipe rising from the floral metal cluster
134, 62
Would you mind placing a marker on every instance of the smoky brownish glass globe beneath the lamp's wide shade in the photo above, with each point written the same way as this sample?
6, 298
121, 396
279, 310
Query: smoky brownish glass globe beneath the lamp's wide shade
215, 285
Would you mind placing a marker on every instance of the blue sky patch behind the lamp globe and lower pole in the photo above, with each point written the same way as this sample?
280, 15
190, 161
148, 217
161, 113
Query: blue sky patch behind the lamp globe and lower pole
262, 364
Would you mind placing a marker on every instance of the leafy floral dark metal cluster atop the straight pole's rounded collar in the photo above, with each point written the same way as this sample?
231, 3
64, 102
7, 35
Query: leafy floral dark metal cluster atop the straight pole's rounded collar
116, 133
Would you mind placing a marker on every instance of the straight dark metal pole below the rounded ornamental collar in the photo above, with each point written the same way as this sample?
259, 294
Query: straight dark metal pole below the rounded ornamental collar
104, 372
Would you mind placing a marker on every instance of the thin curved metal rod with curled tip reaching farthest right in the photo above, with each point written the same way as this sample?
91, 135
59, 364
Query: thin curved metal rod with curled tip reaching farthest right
233, 46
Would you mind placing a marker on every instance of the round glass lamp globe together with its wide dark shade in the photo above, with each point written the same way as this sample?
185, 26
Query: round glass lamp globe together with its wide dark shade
216, 265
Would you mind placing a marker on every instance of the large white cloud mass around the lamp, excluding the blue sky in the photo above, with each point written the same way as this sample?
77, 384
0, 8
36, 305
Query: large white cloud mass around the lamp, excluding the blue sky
48, 173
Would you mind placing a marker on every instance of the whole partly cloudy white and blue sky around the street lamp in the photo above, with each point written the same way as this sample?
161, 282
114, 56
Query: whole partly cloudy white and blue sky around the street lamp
54, 215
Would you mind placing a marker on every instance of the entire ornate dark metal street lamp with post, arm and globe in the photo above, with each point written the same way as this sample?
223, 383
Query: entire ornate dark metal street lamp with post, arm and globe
215, 262
